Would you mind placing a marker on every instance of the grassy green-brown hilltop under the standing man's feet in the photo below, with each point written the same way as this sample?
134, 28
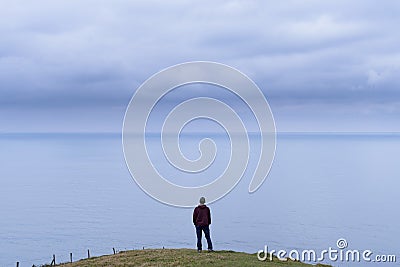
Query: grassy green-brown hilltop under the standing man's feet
181, 257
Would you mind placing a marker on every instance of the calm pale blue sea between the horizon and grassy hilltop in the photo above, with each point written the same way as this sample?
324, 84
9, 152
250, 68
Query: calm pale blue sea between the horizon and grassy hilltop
67, 193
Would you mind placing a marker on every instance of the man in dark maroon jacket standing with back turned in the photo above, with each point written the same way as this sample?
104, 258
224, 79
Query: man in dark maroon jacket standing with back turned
202, 220
